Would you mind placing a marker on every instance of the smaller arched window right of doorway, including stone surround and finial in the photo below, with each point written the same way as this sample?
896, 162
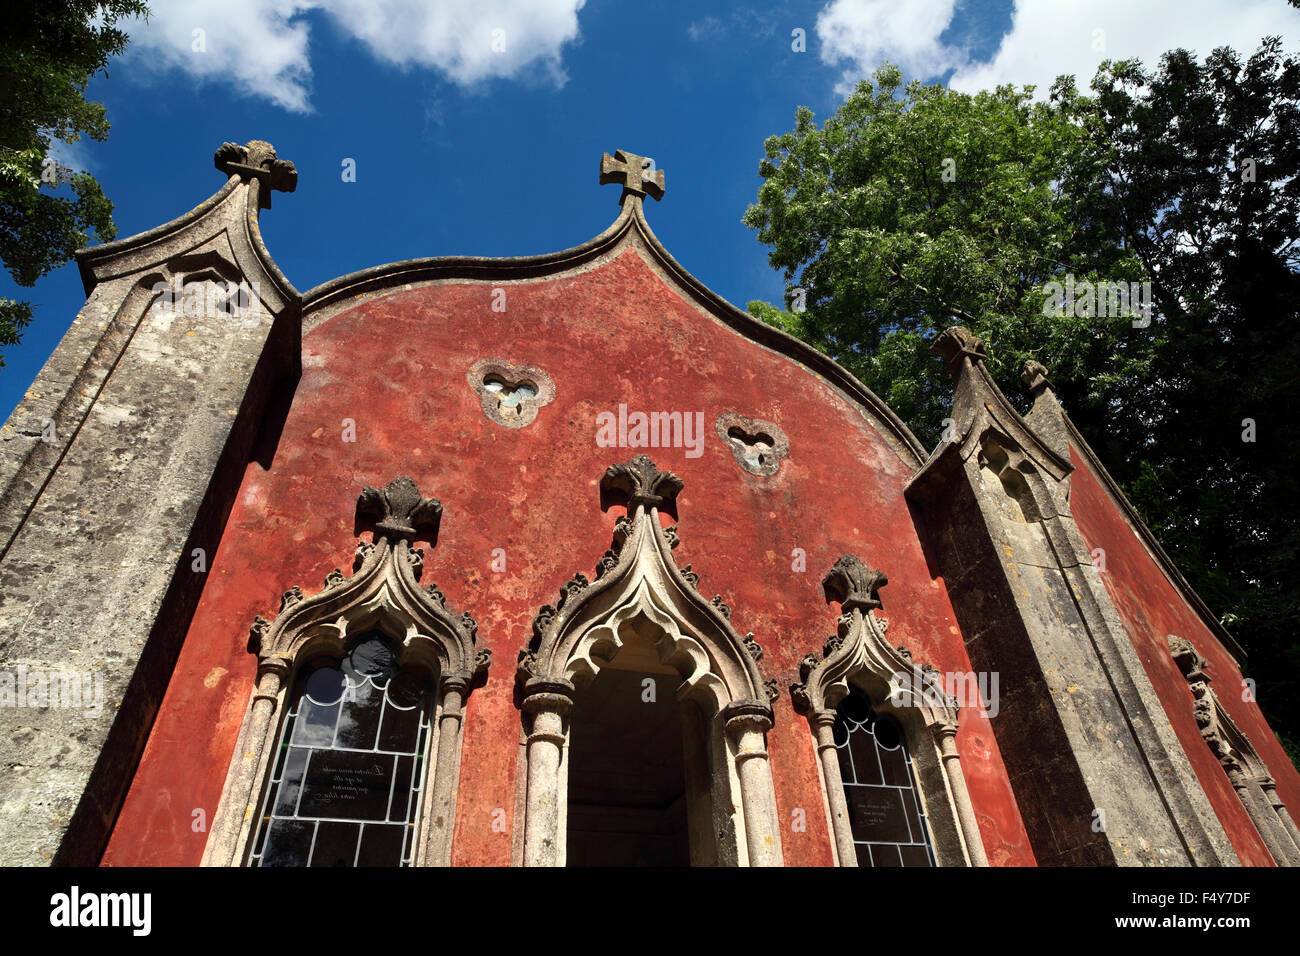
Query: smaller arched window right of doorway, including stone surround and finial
886, 739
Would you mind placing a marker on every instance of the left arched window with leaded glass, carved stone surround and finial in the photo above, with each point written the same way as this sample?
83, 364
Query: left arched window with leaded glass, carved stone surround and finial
350, 749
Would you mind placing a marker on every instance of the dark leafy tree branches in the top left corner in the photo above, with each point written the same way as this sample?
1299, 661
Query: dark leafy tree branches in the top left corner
49, 53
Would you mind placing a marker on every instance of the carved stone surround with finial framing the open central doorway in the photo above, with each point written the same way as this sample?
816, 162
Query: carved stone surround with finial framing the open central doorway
642, 596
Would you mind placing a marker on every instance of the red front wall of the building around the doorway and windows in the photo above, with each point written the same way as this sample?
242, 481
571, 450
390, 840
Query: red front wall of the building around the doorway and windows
397, 366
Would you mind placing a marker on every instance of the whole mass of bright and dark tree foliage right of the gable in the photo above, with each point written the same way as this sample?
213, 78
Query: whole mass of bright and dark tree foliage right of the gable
916, 207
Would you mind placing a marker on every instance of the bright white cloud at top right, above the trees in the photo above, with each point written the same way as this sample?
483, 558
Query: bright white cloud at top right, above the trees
1047, 37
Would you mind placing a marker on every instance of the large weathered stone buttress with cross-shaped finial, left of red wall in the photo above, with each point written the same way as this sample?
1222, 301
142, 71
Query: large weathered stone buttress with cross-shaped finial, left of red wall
119, 418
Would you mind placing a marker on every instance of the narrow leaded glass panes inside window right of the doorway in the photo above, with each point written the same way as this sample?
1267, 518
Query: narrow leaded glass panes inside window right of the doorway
886, 815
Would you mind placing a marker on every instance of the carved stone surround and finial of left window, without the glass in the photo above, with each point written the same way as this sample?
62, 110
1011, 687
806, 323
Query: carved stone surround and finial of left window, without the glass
382, 595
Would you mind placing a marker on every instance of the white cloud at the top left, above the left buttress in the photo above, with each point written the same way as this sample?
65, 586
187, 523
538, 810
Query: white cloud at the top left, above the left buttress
262, 46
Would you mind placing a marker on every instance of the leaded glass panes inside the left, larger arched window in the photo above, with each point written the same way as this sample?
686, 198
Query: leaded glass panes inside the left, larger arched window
349, 772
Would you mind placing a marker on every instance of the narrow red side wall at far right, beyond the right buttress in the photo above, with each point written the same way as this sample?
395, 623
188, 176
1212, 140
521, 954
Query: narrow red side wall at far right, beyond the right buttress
1152, 608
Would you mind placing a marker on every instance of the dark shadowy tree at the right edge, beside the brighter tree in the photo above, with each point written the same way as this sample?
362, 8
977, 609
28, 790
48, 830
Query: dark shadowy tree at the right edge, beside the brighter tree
1206, 185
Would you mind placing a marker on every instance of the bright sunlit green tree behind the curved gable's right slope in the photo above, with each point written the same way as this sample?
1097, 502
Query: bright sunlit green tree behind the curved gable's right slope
918, 207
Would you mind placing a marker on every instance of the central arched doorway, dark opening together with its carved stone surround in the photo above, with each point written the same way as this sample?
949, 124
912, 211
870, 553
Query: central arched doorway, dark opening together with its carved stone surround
582, 678
